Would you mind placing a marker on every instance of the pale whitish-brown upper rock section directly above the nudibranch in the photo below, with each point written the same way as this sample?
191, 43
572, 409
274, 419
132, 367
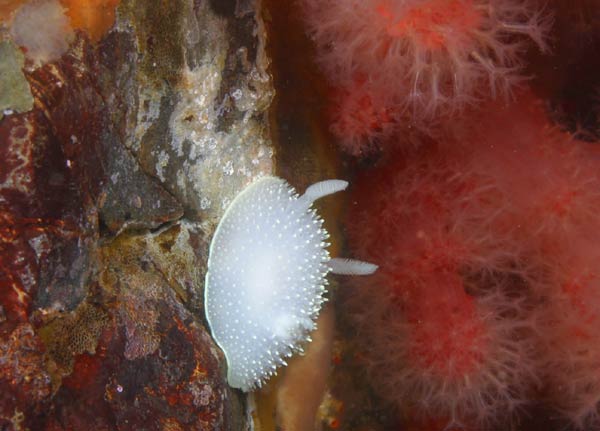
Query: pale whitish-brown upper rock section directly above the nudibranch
194, 104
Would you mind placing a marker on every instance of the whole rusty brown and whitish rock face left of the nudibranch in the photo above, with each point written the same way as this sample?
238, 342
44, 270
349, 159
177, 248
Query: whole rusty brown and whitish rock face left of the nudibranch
111, 184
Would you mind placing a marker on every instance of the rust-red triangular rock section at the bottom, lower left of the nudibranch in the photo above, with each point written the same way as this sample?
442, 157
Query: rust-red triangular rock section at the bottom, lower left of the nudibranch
140, 361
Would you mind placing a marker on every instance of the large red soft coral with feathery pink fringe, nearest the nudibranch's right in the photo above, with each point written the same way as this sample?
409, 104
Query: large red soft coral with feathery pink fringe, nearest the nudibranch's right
446, 323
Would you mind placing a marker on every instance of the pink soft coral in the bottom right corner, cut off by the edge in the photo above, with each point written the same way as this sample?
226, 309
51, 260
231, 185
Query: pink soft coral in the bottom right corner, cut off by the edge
573, 333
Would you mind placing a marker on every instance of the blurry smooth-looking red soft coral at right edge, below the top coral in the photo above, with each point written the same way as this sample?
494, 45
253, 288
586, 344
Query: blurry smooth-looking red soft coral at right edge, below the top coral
551, 178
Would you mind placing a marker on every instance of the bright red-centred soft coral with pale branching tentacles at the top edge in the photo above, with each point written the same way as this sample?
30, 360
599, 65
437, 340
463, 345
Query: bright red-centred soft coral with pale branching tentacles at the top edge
427, 57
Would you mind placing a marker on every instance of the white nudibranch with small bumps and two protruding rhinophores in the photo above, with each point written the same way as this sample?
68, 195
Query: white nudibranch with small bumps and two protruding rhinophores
266, 276
